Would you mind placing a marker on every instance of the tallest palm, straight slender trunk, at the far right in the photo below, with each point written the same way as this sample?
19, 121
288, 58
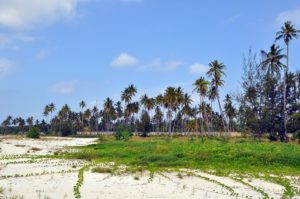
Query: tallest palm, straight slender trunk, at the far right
287, 33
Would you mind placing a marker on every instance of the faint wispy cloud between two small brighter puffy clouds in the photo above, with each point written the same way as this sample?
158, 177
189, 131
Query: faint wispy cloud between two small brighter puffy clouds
158, 65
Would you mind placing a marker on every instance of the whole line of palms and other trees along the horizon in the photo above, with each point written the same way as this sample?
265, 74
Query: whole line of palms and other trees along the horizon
269, 103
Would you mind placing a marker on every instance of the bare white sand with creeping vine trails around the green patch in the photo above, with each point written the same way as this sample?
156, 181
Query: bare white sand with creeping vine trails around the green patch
42, 178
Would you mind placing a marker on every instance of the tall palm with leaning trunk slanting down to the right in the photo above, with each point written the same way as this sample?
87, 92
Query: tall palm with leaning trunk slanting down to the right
216, 71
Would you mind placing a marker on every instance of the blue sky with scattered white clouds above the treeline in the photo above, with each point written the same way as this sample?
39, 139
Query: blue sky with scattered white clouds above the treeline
65, 51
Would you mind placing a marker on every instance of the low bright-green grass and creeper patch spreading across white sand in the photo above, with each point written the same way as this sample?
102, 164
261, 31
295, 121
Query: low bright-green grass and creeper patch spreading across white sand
218, 155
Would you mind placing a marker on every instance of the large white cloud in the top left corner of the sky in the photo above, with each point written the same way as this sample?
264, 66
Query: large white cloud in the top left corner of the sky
28, 13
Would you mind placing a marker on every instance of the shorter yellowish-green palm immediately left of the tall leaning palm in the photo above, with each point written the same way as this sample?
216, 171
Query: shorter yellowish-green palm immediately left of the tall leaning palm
201, 86
